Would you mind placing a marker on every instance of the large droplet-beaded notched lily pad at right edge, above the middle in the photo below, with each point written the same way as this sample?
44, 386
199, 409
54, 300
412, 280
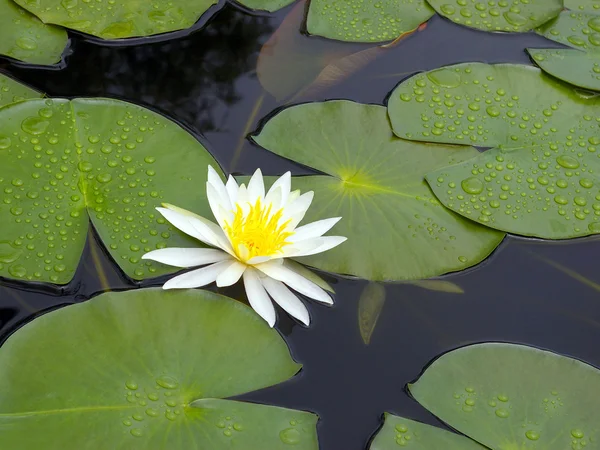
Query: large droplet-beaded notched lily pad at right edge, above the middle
542, 180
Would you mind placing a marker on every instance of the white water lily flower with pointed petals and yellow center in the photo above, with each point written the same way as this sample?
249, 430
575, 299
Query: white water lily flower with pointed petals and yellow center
255, 232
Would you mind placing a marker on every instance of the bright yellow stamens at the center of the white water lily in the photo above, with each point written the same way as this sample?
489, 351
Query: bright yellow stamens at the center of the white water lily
257, 233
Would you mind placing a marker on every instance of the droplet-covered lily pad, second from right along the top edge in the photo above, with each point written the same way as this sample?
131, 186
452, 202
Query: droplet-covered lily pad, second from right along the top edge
515, 15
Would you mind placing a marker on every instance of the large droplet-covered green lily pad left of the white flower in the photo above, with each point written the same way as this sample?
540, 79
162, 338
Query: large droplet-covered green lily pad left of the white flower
64, 162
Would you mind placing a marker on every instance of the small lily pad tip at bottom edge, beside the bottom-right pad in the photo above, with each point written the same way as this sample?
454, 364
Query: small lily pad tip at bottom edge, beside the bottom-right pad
398, 431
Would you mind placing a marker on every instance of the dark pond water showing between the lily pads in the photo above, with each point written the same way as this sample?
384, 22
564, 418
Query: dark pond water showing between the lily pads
528, 291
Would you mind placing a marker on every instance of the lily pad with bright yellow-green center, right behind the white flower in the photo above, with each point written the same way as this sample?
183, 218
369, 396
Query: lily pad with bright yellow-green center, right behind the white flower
396, 229
